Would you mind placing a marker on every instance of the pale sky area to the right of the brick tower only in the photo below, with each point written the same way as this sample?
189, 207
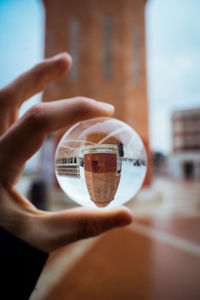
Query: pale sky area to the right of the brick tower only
173, 63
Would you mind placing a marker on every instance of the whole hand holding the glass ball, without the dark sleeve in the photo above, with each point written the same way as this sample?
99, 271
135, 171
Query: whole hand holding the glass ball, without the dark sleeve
21, 138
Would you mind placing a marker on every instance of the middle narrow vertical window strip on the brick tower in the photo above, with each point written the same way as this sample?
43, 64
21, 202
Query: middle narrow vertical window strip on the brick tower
107, 48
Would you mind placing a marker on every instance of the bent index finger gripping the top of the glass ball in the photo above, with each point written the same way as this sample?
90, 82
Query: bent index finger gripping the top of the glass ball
26, 136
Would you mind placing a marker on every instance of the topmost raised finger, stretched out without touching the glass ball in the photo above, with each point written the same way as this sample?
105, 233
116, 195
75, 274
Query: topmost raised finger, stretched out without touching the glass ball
34, 80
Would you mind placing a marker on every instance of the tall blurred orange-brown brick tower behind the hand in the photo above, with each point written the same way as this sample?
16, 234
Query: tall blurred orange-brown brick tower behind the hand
106, 39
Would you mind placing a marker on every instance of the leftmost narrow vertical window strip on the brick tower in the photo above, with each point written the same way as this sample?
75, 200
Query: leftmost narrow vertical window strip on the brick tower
74, 32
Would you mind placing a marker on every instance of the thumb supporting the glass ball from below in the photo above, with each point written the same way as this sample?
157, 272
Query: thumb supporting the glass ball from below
62, 228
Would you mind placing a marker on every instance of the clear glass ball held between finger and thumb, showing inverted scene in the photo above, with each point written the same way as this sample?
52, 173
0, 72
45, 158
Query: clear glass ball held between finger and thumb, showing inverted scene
100, 163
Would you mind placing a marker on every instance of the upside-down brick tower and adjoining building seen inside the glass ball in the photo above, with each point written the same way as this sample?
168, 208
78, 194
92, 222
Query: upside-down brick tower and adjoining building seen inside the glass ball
102, 170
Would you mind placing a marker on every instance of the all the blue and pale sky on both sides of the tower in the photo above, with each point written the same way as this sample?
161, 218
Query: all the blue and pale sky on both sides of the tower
173, 56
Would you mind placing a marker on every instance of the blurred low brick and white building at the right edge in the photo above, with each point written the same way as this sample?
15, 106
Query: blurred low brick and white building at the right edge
185, 159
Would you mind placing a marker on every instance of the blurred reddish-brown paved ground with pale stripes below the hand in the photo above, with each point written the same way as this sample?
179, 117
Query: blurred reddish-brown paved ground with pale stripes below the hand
157, 257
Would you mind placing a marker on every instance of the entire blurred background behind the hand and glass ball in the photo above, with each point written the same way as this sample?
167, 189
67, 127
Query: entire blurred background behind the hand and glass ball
143, 57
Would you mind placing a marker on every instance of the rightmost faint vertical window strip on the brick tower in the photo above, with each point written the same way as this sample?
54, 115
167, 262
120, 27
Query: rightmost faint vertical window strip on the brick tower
136, 57
